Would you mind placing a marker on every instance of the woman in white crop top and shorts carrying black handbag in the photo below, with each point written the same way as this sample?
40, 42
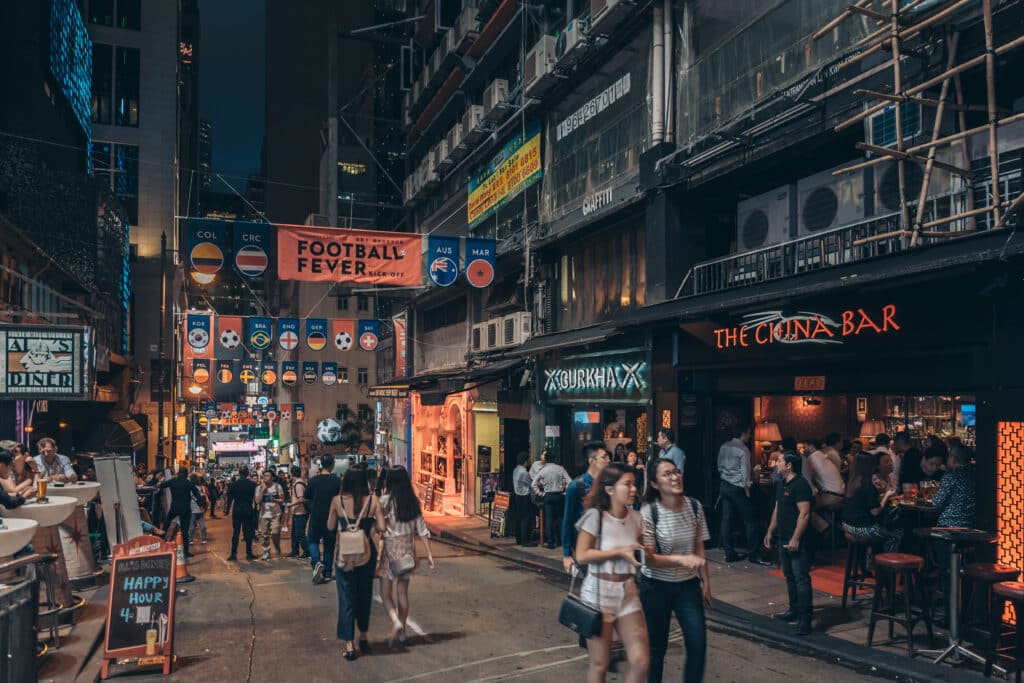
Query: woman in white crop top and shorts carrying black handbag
611, 535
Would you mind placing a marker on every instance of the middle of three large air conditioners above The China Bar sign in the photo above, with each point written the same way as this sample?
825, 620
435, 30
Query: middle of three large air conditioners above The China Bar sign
826, 201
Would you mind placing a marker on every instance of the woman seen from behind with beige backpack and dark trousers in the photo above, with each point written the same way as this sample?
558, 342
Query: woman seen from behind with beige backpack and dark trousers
355, 510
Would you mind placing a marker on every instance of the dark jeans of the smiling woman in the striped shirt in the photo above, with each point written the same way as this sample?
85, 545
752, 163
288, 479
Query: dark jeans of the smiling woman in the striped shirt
661, 600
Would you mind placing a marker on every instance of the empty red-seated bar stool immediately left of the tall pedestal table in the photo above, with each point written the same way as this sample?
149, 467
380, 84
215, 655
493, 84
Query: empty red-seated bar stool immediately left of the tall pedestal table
888, 568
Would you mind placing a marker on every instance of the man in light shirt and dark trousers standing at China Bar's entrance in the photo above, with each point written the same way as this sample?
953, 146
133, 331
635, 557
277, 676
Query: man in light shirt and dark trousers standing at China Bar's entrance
735, 492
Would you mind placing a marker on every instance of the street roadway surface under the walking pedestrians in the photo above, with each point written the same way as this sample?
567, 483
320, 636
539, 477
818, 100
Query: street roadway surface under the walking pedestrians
477, 618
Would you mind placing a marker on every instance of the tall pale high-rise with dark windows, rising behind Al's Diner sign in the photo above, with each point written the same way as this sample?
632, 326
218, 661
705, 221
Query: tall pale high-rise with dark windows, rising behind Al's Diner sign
136, 115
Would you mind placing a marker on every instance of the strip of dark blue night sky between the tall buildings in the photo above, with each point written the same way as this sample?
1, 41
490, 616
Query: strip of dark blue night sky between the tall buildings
233, 53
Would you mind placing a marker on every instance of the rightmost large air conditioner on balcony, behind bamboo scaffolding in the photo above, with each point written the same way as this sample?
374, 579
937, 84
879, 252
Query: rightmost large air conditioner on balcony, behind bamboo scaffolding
942, 184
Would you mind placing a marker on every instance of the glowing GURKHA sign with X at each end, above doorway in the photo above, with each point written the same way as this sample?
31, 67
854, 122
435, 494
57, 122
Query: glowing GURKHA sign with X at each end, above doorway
623, 377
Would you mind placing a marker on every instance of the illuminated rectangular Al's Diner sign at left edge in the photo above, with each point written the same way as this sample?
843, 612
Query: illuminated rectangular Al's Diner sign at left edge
44, 363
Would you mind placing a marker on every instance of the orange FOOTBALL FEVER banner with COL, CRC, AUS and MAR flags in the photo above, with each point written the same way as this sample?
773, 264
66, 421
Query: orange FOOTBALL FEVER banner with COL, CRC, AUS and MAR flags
336, 255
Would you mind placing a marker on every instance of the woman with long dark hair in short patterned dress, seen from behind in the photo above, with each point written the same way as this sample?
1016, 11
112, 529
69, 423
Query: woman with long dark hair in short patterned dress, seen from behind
402, 521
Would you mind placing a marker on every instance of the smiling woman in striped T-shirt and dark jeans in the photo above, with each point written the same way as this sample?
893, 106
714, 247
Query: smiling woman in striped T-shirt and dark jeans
674, 578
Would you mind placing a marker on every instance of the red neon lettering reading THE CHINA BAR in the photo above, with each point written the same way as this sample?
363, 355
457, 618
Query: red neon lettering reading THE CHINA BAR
775, 327
